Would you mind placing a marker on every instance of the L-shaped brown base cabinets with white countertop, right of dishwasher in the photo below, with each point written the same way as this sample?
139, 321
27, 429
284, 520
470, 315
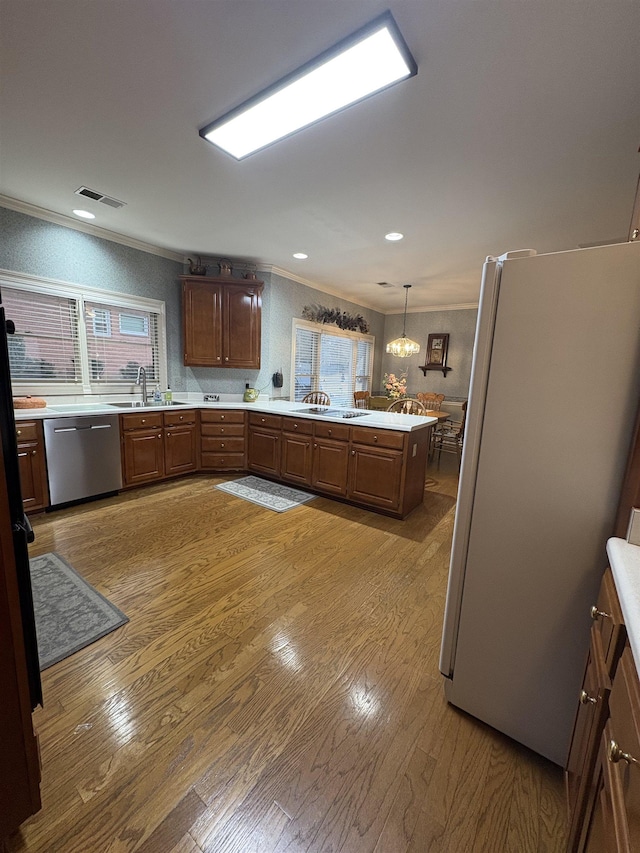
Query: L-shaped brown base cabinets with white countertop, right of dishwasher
373, 459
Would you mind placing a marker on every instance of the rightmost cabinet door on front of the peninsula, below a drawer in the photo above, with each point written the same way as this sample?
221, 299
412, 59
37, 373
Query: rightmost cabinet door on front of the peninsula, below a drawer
375, 476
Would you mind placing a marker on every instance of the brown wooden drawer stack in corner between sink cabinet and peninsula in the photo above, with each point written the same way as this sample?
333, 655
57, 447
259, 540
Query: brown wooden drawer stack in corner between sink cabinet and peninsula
222, 440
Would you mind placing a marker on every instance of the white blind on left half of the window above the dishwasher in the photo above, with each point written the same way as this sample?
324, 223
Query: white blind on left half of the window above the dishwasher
45, 346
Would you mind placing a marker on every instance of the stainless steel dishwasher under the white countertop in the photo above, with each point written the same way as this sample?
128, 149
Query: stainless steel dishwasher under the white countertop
83, 457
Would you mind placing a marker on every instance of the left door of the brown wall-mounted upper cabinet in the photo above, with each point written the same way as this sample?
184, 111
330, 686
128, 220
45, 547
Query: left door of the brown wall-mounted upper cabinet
202, 323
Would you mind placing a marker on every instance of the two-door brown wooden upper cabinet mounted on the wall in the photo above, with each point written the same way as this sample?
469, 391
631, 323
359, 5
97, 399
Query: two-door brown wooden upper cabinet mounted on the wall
222, 322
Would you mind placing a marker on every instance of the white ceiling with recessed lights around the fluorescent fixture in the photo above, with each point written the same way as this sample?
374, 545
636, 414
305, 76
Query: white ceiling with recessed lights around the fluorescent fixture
521, 130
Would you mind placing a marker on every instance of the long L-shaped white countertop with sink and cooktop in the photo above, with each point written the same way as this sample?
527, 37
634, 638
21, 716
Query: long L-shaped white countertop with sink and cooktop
369, 418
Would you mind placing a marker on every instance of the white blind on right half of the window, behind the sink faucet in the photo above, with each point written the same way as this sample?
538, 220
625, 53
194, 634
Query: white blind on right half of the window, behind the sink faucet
118, 356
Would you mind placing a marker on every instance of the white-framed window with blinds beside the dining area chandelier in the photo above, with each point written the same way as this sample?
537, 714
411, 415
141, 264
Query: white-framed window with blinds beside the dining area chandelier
335, 362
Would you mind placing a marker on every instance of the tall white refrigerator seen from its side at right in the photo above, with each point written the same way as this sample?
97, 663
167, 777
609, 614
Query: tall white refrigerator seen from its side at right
555, 386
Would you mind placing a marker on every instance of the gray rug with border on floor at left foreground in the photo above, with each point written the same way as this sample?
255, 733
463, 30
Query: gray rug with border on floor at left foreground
70, 613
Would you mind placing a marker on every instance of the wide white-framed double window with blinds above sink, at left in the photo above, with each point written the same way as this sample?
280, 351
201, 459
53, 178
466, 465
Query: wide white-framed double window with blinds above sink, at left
81, 341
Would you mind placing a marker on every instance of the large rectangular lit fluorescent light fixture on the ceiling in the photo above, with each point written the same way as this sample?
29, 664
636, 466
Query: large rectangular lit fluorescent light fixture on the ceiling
366, 62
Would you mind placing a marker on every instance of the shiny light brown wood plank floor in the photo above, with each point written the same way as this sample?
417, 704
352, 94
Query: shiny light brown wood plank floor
276, 689
